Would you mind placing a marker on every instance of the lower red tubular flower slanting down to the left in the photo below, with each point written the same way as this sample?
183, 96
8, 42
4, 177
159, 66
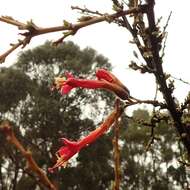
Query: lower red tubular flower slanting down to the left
70, 148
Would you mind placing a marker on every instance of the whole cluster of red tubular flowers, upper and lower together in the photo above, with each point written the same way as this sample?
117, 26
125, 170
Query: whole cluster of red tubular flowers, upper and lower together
105, 80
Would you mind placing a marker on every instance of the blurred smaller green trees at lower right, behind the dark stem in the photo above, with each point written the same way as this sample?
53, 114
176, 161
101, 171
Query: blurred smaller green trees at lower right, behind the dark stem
158, 167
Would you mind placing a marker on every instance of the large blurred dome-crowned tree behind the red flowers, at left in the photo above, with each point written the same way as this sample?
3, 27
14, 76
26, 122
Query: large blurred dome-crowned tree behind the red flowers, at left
41, 117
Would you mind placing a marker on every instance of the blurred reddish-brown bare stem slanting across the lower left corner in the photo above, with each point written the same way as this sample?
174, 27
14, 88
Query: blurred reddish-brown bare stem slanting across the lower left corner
6, 128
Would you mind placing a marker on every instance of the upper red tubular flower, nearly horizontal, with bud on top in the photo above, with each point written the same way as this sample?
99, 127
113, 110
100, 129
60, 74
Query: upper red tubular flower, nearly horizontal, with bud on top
105, 80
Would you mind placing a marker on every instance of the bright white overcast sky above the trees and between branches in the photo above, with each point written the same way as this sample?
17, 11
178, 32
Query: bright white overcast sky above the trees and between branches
107, 39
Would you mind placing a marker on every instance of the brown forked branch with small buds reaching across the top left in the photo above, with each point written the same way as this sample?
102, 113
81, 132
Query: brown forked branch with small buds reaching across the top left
71, 29
